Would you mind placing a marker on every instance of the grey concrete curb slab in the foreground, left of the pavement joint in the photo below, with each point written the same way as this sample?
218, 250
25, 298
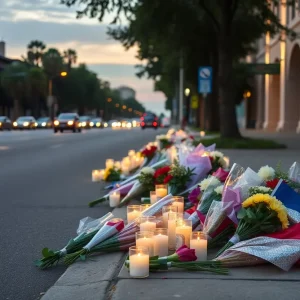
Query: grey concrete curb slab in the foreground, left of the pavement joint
92, 279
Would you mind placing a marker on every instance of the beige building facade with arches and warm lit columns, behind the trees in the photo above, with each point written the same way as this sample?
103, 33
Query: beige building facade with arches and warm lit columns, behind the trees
275, 101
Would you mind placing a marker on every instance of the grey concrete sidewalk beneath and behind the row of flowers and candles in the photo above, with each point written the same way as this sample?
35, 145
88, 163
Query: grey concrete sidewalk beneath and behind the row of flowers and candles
104, 277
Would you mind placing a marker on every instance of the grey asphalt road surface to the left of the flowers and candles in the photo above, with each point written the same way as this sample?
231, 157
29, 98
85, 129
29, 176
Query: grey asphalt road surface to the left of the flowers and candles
45, 185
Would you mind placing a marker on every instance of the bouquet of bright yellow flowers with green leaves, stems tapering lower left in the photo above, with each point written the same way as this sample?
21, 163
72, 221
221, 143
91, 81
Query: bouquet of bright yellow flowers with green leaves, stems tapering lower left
259, 214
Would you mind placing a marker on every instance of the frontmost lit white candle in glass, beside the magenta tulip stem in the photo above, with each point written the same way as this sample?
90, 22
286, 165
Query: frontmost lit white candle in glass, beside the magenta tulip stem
139, 262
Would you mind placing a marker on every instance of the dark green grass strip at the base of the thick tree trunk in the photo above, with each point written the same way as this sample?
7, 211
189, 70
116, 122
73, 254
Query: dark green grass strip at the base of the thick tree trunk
243, 143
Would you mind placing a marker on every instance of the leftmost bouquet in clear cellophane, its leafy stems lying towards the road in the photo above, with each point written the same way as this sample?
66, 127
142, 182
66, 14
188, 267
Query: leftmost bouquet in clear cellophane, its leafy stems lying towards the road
87, 229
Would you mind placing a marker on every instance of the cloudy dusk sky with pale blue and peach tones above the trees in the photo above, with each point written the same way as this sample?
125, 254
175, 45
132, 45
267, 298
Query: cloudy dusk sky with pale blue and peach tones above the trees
56, 25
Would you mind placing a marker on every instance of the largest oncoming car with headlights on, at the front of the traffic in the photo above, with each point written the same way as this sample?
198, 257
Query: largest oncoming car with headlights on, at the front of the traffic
67, 121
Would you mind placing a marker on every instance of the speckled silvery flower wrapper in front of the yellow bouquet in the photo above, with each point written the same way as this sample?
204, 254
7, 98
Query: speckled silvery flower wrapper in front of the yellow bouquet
281, 253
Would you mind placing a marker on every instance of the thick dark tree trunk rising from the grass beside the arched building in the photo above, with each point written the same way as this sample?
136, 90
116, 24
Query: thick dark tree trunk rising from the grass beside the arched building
228, 120
